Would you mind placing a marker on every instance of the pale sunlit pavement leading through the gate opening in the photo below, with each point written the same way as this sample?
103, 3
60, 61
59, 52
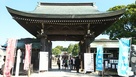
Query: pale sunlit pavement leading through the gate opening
54, 72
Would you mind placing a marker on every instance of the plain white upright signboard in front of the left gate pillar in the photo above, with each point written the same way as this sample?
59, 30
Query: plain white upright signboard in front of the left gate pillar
43, 61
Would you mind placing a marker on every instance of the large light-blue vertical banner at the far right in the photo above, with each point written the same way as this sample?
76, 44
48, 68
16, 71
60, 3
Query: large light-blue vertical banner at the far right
123, 63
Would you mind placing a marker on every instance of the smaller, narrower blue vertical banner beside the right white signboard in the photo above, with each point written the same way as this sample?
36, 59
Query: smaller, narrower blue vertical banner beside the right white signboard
99, 58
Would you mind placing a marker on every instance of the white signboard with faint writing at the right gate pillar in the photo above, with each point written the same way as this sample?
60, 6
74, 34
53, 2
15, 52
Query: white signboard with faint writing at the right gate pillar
88, 62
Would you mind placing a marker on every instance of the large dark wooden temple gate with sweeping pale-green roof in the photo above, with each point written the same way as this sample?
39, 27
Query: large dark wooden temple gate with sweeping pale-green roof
80, 22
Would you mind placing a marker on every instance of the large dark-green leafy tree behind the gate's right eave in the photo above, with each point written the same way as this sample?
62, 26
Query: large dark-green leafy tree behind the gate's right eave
126, 25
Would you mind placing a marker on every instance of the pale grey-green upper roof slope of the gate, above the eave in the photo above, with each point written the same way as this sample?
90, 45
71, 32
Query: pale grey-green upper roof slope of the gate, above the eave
66, 9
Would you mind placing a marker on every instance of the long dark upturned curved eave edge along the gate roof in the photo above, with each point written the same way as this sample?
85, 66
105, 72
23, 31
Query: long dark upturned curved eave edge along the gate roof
35, 15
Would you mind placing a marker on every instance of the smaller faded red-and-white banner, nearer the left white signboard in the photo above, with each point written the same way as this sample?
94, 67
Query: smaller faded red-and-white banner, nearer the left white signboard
28, 49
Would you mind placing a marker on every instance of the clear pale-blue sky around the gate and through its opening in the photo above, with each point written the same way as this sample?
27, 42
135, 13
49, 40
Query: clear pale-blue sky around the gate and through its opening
9, 28
